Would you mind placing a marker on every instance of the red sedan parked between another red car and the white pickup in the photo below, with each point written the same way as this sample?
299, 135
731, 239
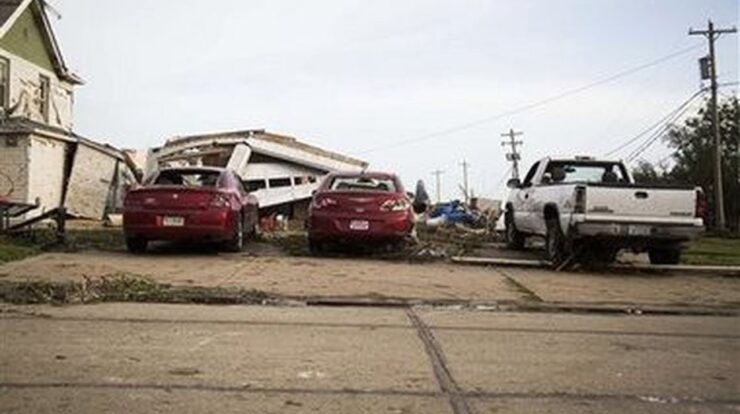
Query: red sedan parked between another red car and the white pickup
359, 207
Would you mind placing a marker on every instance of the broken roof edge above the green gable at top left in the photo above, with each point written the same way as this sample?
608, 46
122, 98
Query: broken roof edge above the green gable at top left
10, 11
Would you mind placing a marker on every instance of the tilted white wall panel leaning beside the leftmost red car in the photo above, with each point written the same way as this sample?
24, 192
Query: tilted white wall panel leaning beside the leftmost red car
90, 182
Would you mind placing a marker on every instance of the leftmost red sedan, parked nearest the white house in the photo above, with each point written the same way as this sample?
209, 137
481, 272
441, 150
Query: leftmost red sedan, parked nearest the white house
192, 203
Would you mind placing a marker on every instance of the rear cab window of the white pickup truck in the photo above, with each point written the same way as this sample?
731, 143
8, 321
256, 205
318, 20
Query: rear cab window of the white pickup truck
565, 172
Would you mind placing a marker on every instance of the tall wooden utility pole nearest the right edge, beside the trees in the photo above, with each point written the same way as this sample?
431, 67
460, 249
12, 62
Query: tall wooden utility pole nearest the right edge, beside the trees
712, 34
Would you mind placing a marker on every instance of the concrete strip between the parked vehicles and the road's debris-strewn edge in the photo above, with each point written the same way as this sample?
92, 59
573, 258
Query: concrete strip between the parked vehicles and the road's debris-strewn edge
377, 280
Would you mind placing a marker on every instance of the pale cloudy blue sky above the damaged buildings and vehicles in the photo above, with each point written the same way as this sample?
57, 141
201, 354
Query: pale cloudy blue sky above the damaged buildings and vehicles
357, 75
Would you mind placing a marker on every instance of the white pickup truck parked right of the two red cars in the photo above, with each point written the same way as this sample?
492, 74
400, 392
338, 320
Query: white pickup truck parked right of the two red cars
593, 208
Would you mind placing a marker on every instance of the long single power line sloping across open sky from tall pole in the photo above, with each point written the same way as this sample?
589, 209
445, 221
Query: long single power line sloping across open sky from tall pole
532, 105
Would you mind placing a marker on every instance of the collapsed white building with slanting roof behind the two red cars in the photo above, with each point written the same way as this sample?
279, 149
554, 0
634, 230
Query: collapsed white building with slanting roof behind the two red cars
281, 171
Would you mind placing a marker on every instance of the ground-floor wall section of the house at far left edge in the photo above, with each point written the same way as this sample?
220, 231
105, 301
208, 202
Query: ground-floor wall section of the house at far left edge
14, 167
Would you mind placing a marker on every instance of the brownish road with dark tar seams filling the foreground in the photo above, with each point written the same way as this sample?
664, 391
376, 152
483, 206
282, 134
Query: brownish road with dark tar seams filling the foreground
142, 358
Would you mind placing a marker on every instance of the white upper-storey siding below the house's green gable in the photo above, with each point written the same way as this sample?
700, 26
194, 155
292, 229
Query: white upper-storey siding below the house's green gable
24, 92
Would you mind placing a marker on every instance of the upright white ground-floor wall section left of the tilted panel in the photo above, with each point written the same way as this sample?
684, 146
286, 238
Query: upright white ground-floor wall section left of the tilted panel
46, 171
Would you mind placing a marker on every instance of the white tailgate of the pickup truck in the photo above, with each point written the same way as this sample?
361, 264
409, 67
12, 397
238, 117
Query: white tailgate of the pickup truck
641, 202
